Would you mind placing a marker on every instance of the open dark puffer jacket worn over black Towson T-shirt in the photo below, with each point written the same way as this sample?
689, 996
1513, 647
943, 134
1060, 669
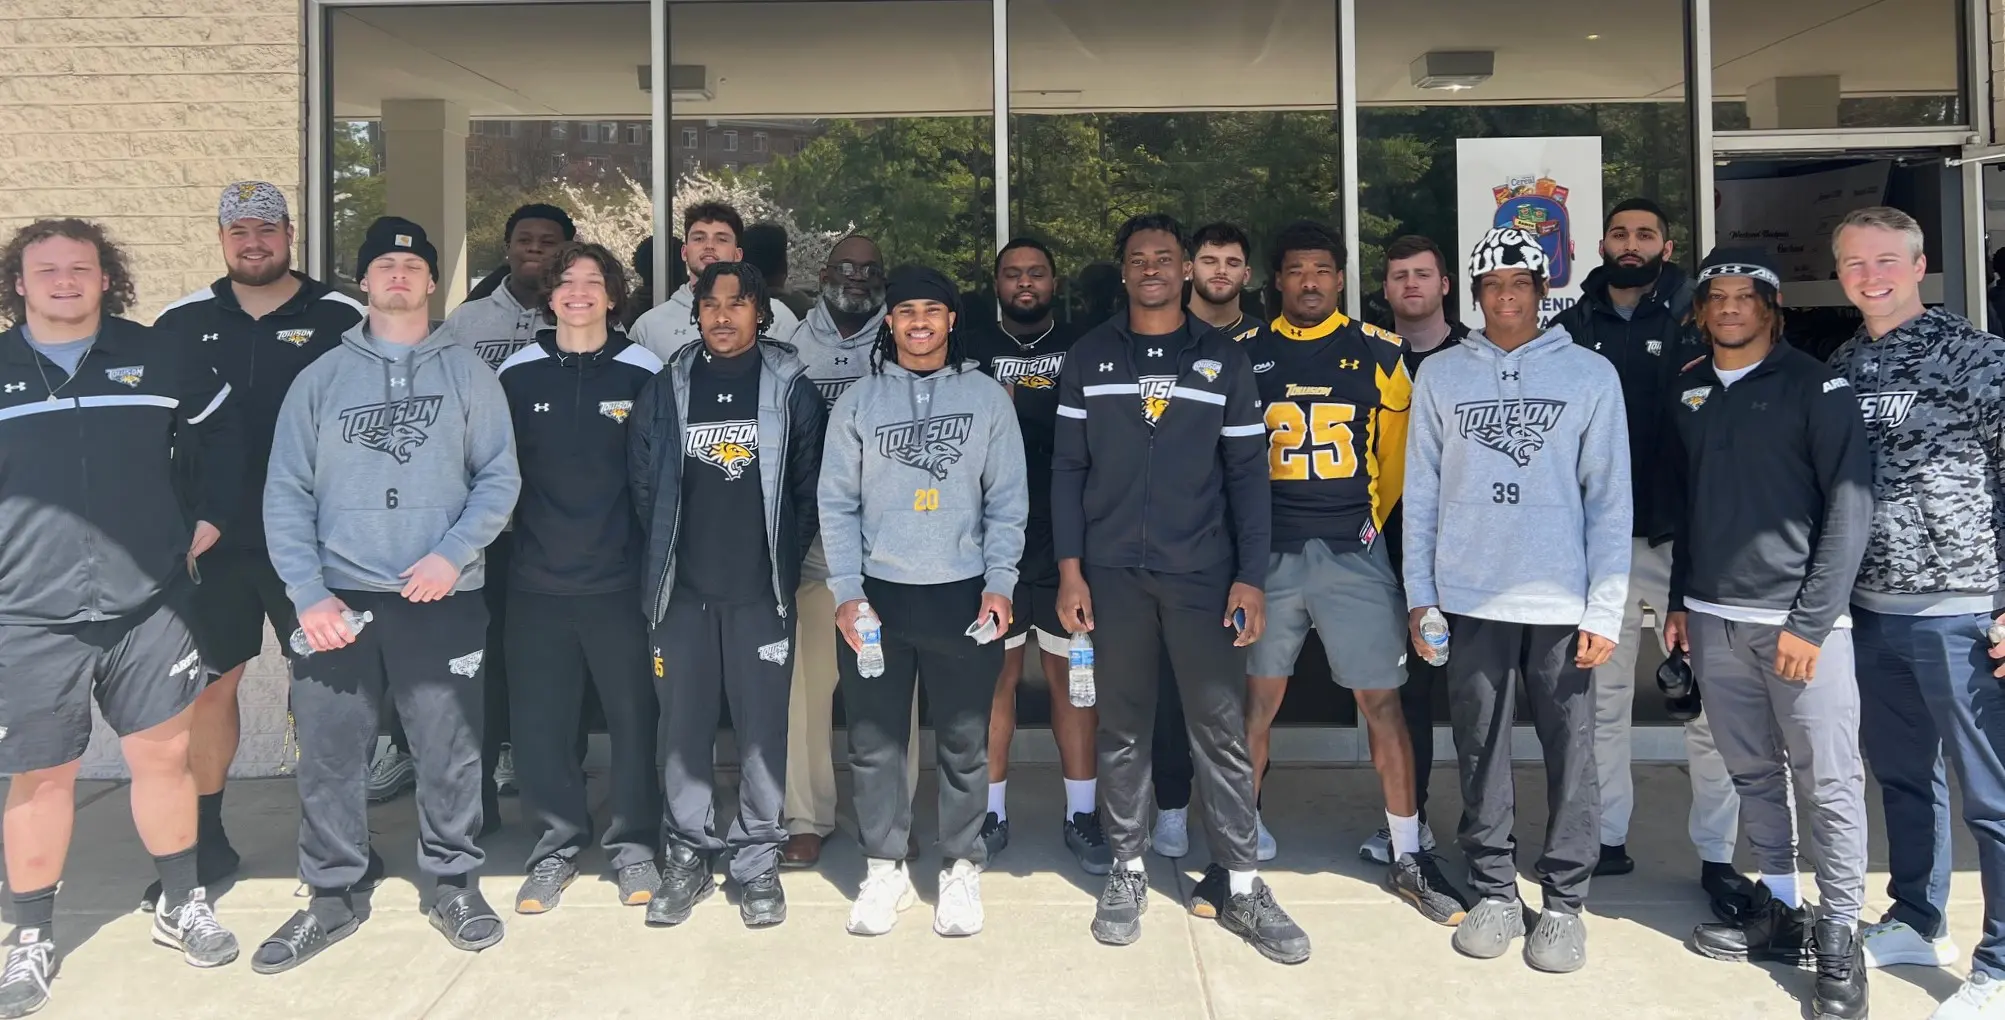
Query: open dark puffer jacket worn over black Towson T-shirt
791, 414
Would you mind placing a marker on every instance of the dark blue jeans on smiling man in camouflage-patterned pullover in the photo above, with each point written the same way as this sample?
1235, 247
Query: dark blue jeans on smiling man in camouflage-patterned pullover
1926, 686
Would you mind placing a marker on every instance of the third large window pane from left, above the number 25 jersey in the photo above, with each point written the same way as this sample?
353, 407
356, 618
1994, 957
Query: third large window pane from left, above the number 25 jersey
1196, 109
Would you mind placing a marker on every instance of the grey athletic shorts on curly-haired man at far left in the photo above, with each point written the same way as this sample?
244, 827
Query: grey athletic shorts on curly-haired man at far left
143, 670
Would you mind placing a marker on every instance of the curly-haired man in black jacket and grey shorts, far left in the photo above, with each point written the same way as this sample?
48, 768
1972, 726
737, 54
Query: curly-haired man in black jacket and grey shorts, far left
95, 558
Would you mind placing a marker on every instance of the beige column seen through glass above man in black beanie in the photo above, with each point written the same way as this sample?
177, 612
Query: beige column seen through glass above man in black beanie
426, 181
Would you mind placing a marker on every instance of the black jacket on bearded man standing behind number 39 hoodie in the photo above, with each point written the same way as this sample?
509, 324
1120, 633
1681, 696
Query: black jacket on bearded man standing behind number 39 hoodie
1647, 350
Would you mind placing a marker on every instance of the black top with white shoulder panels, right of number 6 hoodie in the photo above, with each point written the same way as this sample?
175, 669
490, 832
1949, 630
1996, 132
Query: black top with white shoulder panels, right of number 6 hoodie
576, 532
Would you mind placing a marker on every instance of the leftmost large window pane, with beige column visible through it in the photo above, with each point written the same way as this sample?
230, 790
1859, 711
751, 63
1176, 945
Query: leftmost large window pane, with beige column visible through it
410, 81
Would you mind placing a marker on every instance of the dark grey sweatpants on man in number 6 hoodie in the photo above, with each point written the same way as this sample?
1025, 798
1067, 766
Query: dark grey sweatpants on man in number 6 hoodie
430, 660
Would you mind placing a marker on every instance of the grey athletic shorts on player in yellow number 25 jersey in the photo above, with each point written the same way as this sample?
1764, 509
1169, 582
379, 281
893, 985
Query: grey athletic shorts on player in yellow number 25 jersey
1356, 606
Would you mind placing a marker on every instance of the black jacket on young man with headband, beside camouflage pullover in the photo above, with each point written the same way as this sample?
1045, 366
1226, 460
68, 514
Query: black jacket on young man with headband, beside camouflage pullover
1773, 480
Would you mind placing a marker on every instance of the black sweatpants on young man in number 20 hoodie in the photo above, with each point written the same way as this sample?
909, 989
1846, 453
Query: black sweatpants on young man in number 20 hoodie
925, 640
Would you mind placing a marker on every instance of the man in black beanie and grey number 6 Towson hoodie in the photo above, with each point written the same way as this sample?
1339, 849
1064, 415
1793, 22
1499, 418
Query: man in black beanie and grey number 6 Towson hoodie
392, 470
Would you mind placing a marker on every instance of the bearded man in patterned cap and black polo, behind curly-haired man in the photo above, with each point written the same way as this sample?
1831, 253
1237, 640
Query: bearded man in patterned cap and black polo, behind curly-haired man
260, 326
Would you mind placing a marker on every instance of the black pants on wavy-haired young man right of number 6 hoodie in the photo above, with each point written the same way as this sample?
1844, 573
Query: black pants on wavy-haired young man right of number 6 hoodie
554, 644
